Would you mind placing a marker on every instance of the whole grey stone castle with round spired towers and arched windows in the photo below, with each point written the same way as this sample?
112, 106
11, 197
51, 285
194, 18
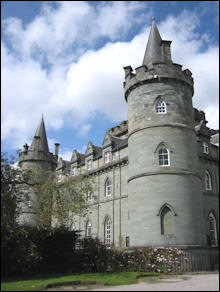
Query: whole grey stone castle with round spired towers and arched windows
155, 175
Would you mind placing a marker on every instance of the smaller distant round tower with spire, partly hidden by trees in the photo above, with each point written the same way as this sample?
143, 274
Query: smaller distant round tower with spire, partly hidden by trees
38, 159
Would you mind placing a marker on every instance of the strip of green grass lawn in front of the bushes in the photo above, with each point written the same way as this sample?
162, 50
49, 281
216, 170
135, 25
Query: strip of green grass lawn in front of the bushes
39, 283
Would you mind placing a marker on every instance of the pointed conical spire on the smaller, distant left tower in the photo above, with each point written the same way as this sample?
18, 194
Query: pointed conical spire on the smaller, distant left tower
40, 138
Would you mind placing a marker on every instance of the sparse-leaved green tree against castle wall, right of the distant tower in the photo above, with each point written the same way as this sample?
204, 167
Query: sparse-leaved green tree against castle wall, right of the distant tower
61, 200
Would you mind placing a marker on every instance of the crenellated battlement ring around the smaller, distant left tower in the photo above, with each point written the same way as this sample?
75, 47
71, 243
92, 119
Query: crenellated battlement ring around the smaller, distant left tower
37, 156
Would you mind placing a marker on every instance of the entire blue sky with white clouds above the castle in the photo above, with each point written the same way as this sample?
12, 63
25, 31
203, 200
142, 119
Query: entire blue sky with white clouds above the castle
65, 59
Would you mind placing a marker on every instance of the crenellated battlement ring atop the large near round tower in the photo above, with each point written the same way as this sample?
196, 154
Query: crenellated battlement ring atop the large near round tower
158, 72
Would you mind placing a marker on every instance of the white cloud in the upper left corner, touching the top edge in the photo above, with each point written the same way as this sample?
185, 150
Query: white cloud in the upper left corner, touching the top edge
69, 27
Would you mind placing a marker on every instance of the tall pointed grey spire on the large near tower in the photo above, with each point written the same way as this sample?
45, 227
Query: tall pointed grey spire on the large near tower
153, 52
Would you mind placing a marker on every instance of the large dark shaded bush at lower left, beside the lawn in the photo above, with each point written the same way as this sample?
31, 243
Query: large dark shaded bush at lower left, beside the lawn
27, 250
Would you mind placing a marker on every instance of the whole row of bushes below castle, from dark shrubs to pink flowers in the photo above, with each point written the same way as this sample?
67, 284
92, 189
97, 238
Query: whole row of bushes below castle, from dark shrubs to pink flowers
28, 250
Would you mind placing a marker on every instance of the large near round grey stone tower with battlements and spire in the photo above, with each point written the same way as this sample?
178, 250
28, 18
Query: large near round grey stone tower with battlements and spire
165, 189
